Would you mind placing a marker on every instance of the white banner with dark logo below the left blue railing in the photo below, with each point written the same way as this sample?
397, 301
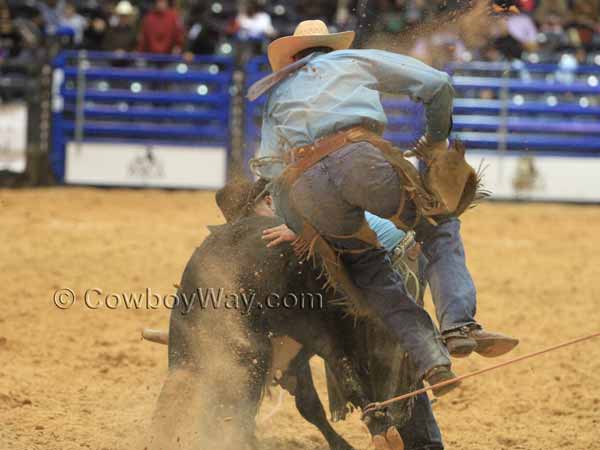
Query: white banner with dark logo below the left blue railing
172, 166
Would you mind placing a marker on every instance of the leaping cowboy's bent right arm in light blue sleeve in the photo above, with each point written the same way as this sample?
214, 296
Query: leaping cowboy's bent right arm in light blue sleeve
399, 74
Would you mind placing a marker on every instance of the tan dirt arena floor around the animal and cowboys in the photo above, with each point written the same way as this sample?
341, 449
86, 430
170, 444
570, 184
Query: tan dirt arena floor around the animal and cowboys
81, 378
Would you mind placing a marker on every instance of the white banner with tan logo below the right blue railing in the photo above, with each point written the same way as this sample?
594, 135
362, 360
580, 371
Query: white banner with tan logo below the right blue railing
527, 176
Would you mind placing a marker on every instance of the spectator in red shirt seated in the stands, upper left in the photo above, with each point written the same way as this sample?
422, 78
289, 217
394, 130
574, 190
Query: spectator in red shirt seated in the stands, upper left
162, 31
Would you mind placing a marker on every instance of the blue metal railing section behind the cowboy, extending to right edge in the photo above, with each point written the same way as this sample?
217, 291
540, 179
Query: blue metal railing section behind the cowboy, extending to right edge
537, 115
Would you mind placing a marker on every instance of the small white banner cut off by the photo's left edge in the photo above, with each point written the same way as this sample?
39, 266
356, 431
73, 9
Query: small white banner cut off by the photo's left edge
13, 136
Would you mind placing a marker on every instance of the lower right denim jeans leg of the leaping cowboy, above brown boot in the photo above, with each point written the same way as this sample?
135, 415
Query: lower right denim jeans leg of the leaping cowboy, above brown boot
452, 287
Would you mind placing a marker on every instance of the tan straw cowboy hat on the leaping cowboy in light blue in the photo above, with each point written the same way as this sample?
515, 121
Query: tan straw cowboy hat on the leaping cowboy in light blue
310, 33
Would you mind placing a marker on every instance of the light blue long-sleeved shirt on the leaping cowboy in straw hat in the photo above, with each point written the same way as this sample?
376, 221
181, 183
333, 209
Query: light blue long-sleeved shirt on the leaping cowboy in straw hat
340, 89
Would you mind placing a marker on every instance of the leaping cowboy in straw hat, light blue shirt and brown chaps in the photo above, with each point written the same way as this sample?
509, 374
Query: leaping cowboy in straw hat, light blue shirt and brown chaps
322, 146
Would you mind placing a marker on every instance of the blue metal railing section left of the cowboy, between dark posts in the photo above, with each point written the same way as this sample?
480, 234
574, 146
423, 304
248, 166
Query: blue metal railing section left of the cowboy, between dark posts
139, 98
